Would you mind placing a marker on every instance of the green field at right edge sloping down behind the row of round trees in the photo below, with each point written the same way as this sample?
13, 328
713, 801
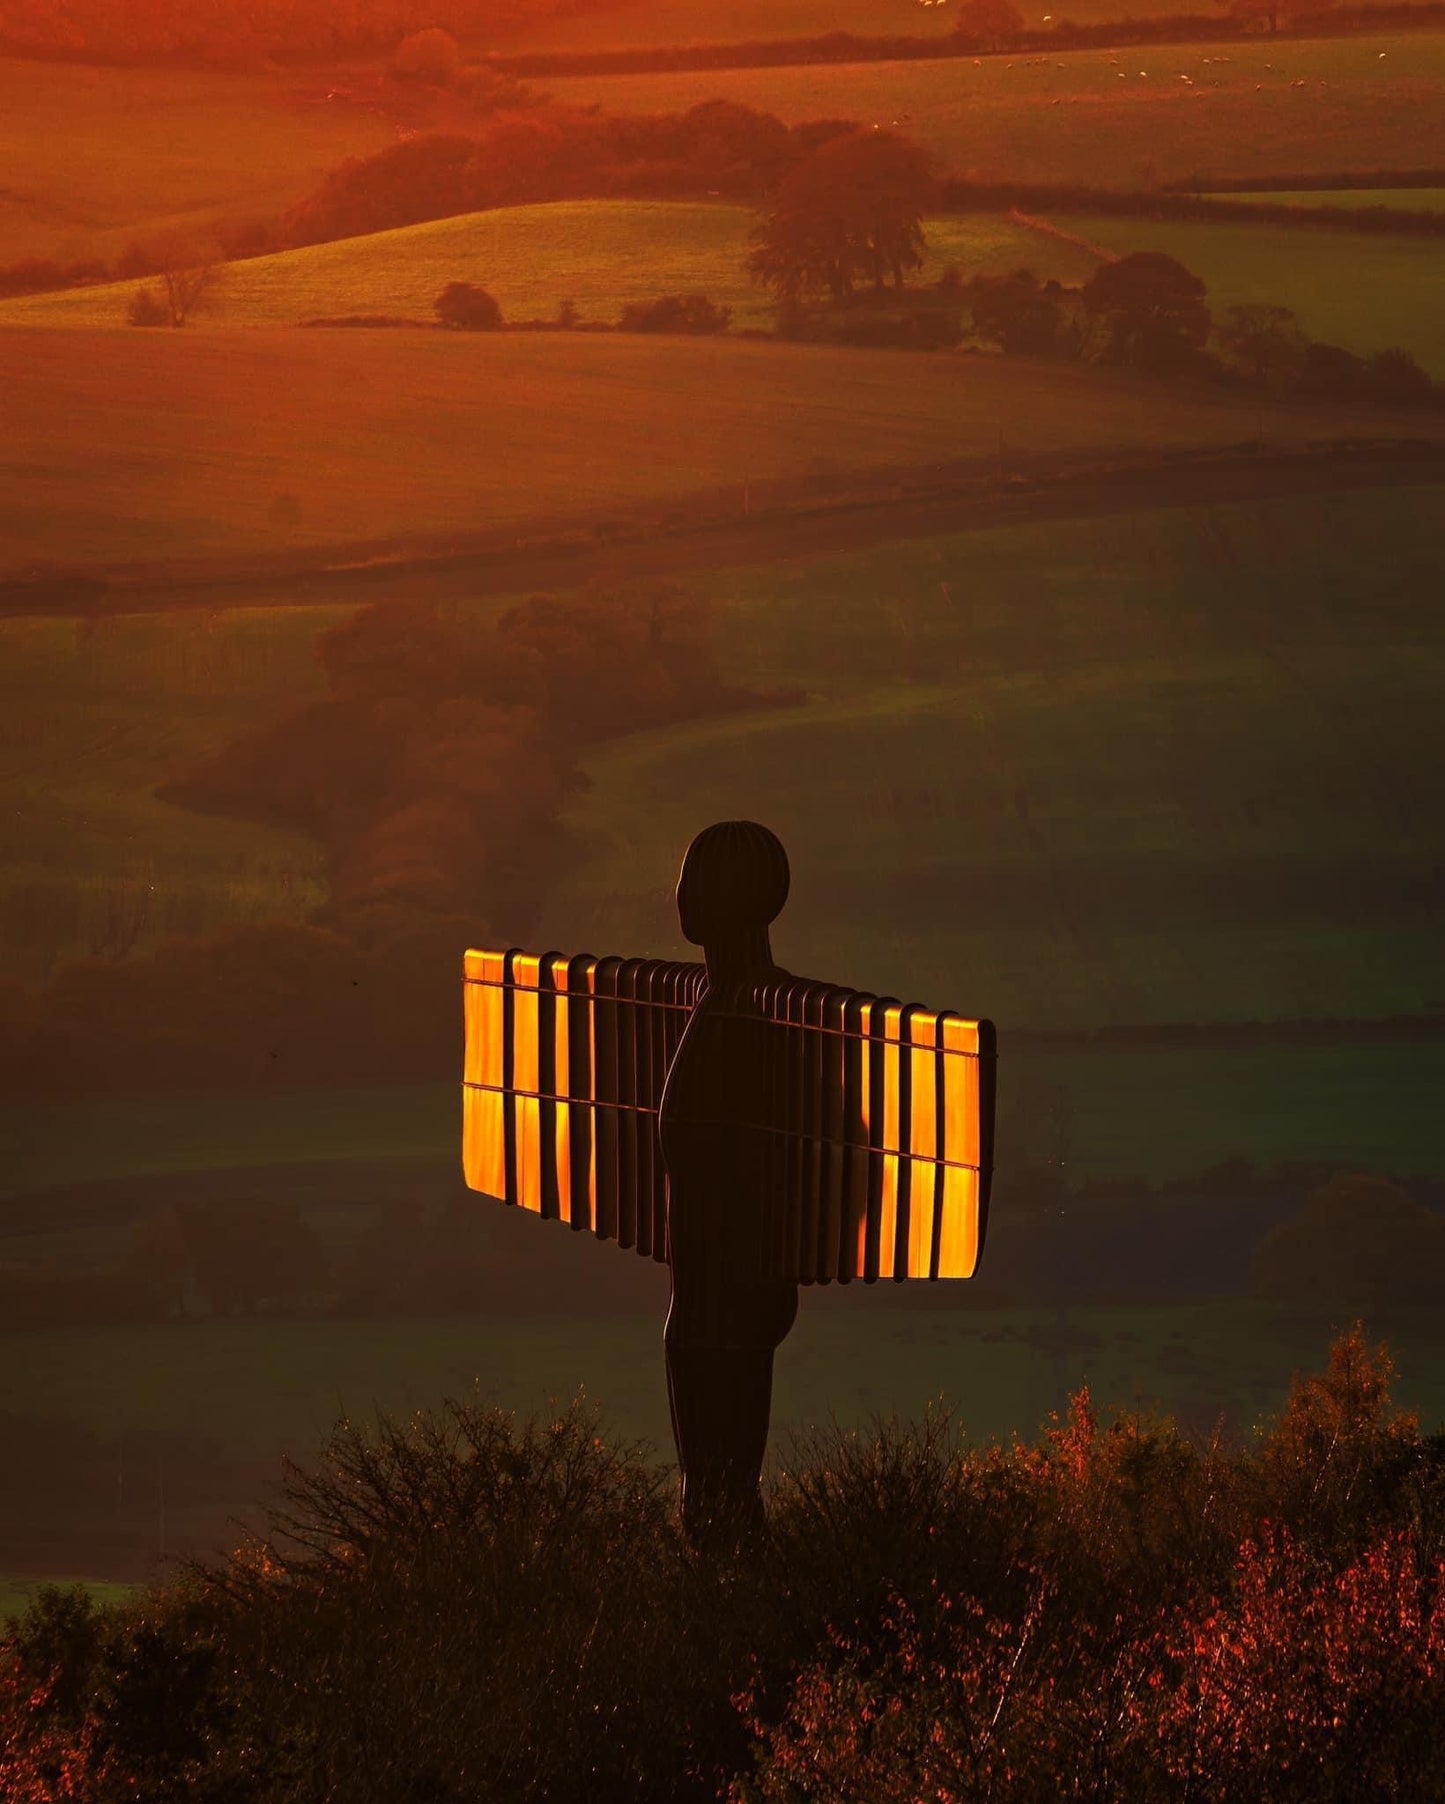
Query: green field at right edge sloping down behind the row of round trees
1368, 293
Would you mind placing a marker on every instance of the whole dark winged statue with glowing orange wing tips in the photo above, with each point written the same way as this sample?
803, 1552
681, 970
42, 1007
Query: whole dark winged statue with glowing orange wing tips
753, 1130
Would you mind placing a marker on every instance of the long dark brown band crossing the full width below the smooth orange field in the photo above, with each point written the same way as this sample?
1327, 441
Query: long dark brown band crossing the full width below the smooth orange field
775, 522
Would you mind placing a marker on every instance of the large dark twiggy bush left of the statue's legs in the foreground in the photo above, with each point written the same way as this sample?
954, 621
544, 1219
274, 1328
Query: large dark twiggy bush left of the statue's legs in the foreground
501, 1612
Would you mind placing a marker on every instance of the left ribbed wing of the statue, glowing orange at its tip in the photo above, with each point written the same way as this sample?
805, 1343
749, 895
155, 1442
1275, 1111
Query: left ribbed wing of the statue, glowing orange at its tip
566, 1062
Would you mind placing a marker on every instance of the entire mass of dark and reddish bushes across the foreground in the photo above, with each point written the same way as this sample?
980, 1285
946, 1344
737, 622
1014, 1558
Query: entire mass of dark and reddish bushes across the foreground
466, 1606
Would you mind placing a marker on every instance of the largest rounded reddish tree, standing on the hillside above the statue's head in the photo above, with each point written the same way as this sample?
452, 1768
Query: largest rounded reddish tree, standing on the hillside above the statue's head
852, 210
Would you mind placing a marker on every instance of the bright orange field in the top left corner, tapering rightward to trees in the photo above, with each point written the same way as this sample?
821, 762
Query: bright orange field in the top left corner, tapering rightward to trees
97, 158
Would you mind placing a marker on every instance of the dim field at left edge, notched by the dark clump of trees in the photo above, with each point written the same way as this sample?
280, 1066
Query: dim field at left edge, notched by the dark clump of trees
98, 715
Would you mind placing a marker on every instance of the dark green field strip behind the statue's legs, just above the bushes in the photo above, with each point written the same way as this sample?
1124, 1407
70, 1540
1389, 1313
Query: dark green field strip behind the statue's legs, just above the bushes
266, 1388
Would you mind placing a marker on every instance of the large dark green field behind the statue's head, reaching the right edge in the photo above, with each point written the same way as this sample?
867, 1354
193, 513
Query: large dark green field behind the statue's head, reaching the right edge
1152, 768
